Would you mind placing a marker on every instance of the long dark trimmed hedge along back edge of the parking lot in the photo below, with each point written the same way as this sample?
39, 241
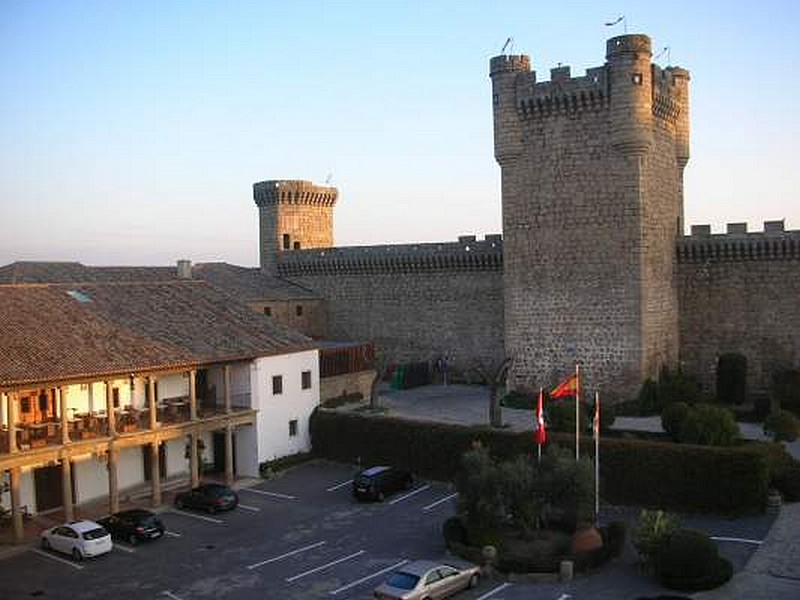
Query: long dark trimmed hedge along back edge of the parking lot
644, 473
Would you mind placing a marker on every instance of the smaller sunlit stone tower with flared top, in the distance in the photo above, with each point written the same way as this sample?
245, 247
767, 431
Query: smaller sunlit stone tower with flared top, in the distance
293, 215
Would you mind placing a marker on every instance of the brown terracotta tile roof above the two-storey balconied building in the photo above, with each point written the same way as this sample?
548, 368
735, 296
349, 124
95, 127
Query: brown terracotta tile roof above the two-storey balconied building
59, 332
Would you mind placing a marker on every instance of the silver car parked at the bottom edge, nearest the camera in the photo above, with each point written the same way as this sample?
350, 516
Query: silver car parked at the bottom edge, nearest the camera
423, 580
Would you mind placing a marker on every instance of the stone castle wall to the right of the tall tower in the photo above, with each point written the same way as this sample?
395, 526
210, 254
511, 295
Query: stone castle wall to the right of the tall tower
740, 293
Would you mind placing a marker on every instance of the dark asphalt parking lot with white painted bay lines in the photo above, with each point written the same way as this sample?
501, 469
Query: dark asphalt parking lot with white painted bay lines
300, 535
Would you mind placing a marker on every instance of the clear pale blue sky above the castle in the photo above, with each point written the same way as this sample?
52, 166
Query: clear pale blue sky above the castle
131, 132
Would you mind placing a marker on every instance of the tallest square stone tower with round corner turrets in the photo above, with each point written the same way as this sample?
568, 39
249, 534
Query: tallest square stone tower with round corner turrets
592, 187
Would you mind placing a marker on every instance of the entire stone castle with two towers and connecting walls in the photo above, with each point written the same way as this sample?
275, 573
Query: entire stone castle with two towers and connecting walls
592, 267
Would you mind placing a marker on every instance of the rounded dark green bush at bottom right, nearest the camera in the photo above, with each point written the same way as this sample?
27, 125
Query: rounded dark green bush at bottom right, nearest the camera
689, 561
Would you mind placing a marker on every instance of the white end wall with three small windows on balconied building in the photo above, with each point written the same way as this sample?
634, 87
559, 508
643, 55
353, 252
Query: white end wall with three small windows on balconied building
275, 411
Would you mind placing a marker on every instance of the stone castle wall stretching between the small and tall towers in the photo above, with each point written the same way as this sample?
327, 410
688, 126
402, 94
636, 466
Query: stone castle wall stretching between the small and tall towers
416, 302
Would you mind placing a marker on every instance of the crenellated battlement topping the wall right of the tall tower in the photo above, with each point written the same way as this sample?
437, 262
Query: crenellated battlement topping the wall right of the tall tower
737, 244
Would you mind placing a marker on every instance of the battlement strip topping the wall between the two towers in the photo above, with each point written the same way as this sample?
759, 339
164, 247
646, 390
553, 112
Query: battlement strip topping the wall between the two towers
467, 254
